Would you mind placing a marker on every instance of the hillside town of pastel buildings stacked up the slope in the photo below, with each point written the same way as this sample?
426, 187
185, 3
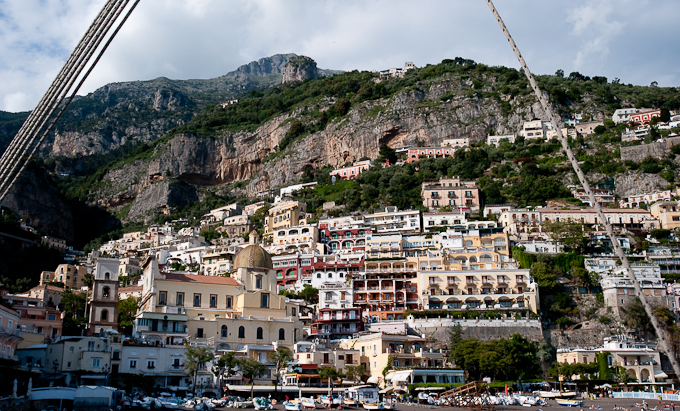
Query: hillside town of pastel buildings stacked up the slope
187, 307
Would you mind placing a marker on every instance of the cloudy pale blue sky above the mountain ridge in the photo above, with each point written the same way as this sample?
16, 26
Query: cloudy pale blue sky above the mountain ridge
634, 41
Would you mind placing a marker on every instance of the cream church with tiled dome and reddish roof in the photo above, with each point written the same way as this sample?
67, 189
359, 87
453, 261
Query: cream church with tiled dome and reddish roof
227, 312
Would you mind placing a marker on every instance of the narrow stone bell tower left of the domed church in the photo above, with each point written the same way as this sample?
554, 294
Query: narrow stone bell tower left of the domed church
104, 303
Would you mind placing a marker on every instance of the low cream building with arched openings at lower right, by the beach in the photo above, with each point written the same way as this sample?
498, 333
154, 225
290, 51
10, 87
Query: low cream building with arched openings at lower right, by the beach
641, 361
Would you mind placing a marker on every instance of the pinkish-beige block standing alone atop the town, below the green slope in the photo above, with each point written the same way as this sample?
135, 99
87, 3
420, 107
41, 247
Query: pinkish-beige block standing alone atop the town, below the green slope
452, 192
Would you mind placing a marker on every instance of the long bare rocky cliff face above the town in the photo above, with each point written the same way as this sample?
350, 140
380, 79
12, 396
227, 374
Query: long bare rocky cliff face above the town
407, 119
